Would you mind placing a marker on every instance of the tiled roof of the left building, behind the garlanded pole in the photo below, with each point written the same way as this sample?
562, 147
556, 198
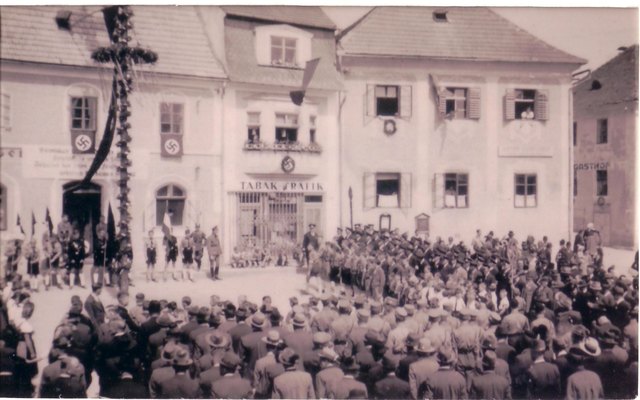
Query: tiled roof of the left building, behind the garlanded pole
176, 34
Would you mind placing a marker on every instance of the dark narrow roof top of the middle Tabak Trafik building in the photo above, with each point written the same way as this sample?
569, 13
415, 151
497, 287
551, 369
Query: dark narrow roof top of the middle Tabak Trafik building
309, 16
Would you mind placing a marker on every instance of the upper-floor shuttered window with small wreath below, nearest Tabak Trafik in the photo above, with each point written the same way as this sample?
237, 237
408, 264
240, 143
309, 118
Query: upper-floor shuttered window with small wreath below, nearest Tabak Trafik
389, 101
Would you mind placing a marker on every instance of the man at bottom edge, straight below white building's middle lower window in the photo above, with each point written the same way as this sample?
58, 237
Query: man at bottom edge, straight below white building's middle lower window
446, 382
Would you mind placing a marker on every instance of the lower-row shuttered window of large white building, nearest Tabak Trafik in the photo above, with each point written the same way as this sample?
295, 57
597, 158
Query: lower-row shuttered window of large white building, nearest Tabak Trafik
387, 190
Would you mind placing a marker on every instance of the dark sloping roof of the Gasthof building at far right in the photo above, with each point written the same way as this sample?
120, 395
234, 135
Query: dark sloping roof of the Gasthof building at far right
617, 80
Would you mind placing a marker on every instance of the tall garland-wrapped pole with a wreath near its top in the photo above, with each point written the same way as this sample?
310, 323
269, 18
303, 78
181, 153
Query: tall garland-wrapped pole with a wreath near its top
123, 57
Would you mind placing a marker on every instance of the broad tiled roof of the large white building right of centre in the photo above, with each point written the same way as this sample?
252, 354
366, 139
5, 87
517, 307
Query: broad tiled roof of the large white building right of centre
470, 33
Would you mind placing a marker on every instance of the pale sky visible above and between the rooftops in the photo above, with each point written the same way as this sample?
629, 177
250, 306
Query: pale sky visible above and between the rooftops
590, 33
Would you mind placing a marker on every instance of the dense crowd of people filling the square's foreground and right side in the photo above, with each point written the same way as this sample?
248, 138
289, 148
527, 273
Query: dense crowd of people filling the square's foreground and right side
389, 316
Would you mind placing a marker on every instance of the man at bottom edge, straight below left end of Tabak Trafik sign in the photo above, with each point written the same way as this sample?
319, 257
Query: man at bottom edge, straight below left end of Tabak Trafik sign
231, 385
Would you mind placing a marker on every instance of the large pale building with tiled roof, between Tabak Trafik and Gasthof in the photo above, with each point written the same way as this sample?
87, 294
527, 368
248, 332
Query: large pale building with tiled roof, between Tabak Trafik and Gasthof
449, 130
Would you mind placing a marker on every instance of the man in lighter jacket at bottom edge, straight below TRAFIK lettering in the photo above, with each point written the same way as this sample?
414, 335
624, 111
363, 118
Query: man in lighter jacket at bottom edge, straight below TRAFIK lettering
292, 384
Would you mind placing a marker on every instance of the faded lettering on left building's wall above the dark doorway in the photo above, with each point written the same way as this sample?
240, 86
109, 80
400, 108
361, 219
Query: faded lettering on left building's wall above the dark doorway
60, 162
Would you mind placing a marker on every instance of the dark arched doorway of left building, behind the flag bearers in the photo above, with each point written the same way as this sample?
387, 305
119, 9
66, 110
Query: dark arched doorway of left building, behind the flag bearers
81, 203
